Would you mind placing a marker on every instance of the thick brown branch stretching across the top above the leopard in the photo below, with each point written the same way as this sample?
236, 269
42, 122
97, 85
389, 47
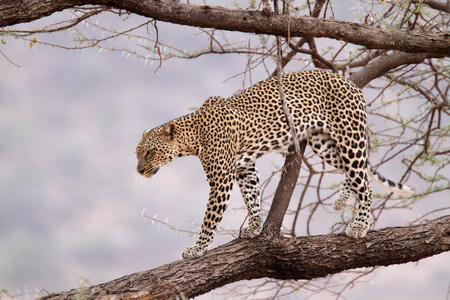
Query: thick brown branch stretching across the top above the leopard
13, 12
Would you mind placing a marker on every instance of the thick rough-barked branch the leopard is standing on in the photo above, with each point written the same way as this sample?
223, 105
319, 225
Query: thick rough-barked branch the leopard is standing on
280, 258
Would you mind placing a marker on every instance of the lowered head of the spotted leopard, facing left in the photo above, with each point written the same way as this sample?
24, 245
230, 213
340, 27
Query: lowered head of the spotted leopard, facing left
157, 148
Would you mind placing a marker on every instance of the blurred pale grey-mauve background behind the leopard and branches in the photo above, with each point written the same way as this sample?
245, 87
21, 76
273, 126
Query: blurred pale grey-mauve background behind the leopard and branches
74, 212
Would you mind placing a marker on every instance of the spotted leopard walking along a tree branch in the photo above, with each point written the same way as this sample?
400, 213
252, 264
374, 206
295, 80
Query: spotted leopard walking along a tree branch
229, 134
